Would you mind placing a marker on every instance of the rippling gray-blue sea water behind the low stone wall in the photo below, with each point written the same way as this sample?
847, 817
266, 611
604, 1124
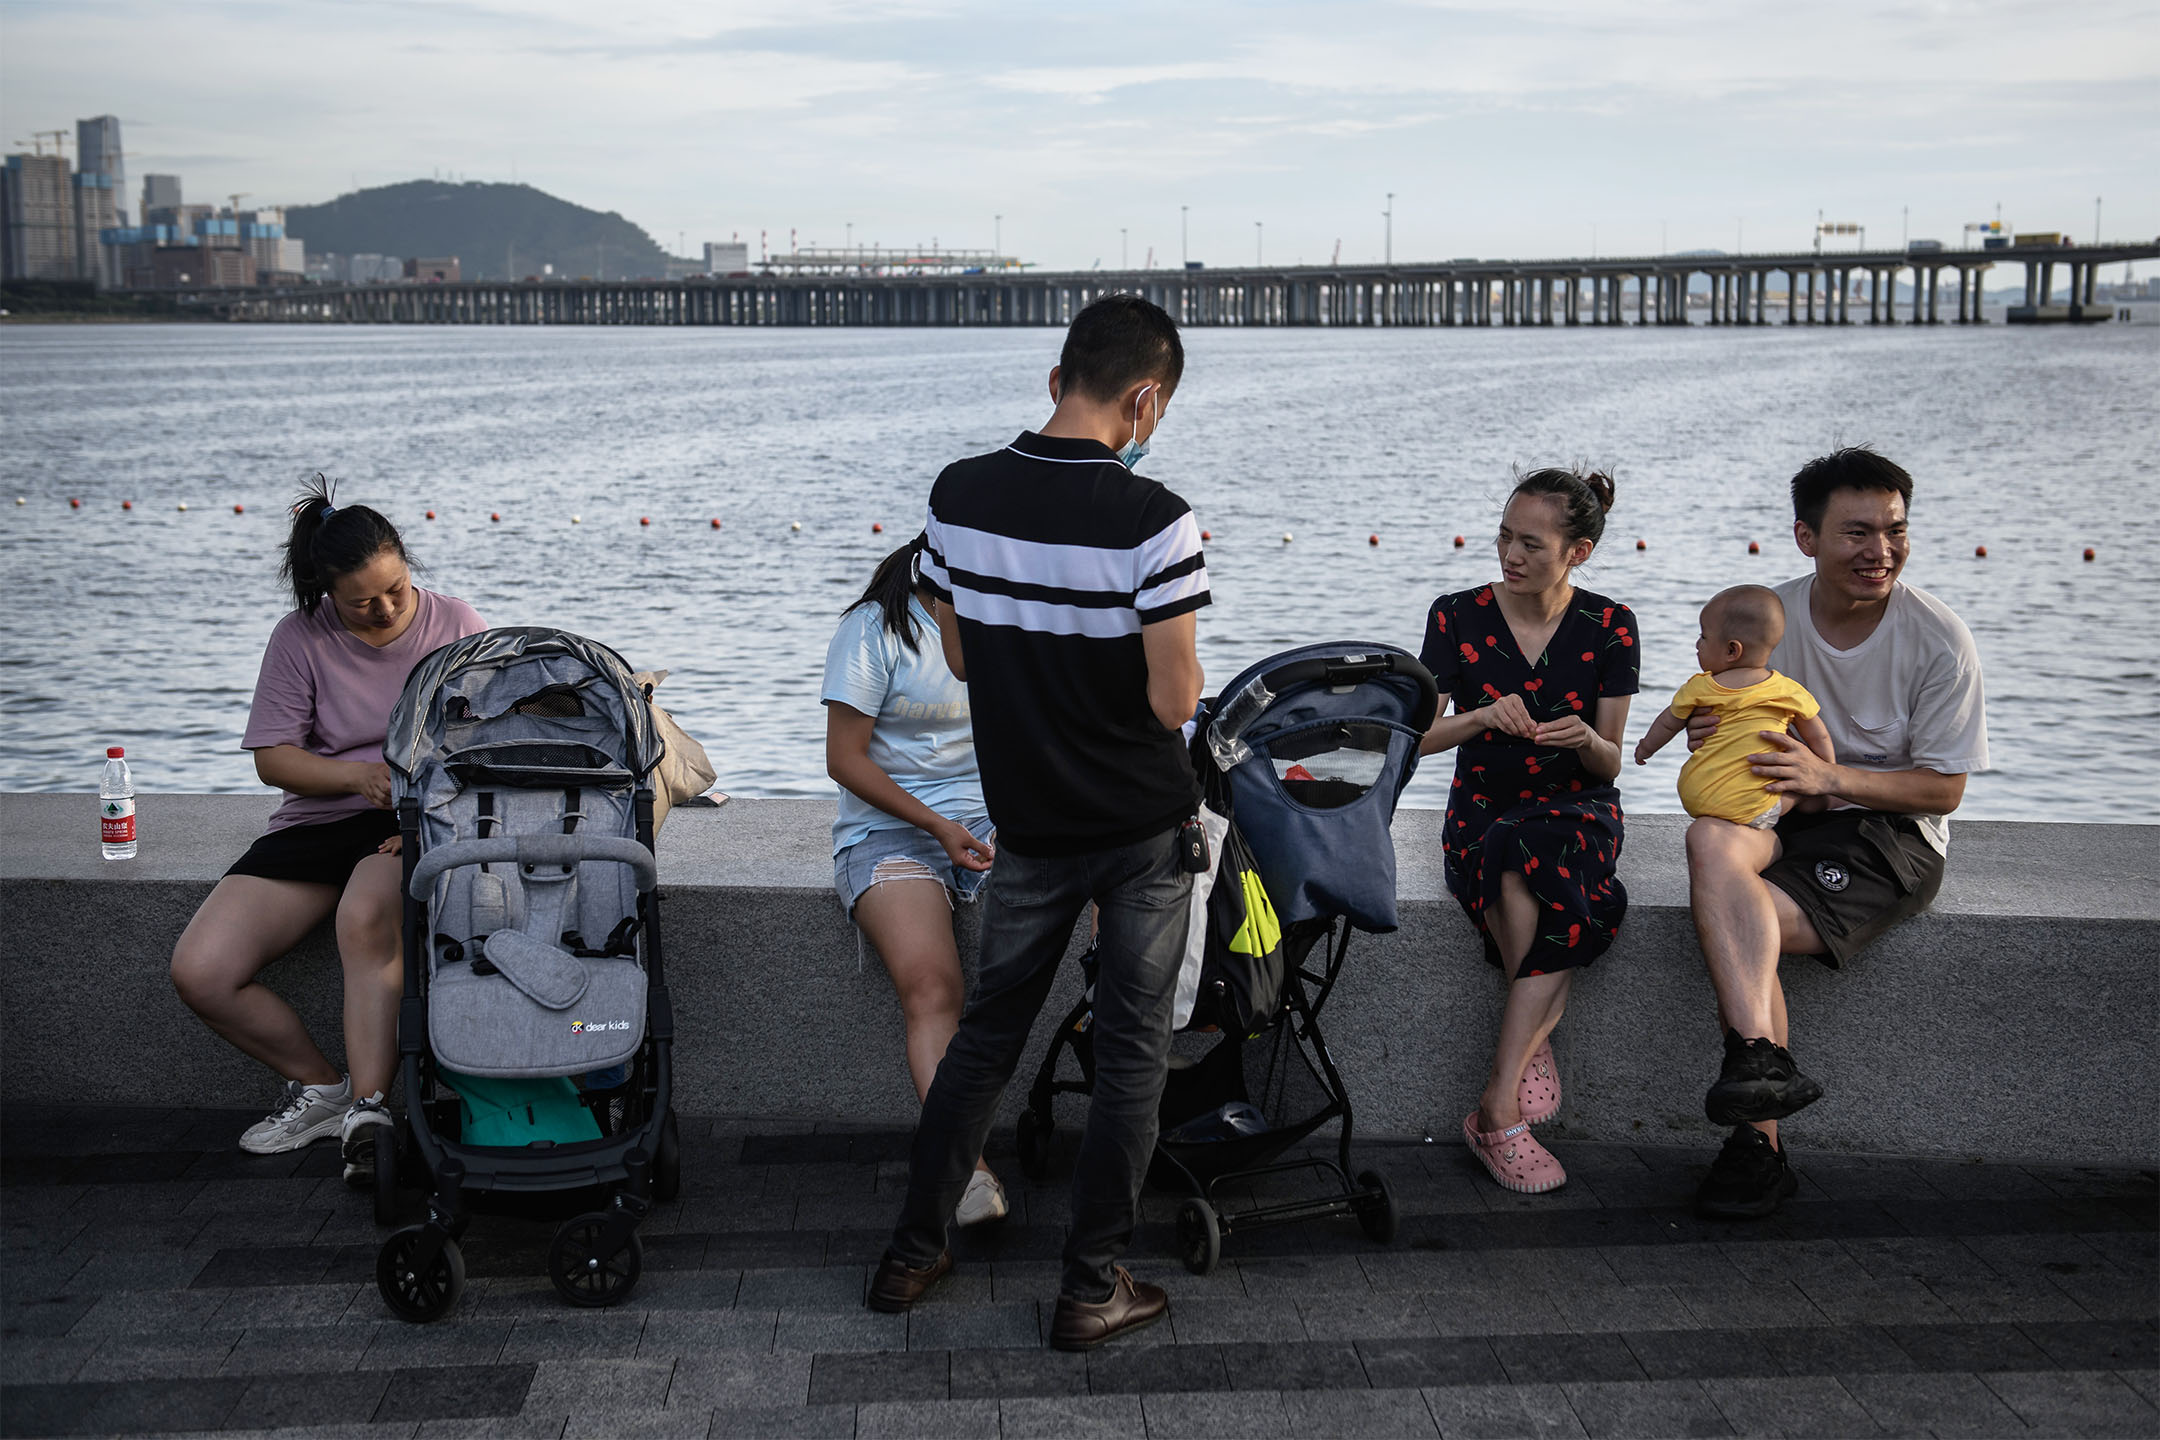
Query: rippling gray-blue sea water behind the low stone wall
146, 625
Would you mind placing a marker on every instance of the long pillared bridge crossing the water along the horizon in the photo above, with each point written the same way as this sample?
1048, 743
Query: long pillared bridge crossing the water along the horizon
1463, 293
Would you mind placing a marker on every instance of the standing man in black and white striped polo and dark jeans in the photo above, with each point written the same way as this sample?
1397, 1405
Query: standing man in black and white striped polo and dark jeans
1068, 593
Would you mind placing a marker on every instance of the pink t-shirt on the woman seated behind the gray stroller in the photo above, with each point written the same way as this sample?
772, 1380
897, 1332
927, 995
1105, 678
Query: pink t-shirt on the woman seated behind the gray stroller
332, 694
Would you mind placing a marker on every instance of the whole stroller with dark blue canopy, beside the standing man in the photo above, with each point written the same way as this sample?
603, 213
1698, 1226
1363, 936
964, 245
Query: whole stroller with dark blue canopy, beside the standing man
1301, 761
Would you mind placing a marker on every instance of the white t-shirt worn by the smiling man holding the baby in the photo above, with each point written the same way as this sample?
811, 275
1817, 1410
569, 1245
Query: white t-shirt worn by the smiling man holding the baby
1906, 698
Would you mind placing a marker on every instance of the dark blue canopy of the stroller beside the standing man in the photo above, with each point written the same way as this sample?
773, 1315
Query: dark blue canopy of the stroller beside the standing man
1317, 746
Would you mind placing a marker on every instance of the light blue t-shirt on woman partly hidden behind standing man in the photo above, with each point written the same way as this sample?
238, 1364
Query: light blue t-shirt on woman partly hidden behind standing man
923, 735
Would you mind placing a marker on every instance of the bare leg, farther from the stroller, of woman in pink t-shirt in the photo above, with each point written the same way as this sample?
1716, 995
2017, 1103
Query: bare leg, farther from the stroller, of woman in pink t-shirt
243, 927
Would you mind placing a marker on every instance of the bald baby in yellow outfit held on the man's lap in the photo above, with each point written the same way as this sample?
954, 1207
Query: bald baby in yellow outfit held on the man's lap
1740, 631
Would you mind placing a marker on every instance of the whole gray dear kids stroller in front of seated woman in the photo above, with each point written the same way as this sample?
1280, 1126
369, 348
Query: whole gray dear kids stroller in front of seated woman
532, 953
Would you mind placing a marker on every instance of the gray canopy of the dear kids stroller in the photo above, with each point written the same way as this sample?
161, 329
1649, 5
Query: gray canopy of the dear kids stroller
524, 673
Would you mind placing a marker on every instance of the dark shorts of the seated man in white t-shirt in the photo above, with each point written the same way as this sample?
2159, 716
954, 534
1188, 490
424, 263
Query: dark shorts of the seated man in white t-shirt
1854, 873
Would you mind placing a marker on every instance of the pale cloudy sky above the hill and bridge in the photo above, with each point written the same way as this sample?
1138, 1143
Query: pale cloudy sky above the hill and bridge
1552, 128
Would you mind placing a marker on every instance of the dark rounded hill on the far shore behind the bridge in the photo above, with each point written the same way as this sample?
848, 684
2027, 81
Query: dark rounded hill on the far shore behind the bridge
494, 230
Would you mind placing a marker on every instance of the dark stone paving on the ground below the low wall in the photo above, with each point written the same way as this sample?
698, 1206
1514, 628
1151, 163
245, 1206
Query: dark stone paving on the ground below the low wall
161, 1281
